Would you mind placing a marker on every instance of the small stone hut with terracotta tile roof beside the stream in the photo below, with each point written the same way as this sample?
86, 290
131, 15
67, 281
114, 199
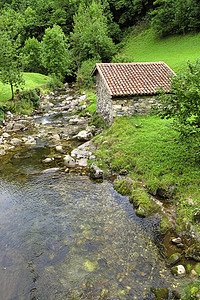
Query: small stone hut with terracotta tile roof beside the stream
129, 88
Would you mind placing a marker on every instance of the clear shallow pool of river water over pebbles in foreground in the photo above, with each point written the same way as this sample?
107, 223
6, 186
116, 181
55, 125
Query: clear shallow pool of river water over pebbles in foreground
64, 236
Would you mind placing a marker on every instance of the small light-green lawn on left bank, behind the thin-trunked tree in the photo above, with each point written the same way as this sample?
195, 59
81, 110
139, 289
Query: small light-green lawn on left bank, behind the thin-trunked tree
32, 80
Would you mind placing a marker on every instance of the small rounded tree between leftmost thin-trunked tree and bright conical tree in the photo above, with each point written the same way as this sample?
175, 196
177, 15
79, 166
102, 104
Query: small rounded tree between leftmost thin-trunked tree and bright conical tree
32, 55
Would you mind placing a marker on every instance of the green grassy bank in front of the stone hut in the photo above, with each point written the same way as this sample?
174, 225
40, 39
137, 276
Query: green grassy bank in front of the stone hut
151, 151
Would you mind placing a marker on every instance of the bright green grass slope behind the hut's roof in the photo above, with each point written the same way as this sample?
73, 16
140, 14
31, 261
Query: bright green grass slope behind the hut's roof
174, 50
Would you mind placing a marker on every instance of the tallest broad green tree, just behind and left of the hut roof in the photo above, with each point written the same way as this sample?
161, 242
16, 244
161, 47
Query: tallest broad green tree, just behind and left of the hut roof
89, 38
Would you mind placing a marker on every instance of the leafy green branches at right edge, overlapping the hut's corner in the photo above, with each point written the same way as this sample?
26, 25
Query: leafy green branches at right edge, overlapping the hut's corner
183, 102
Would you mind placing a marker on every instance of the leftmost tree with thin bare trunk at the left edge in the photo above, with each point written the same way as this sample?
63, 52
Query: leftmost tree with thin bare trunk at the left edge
10, 62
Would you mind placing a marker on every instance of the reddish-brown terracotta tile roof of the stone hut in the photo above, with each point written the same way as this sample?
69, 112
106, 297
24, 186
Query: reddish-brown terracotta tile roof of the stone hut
124, 79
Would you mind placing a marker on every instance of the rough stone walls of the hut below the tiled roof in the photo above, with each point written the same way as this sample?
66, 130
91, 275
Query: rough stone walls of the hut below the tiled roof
109, 107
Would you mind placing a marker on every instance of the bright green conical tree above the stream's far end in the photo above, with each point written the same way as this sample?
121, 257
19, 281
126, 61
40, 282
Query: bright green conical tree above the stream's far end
55, 52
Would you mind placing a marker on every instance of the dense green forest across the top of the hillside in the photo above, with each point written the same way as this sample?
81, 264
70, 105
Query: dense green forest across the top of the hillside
65, 38
